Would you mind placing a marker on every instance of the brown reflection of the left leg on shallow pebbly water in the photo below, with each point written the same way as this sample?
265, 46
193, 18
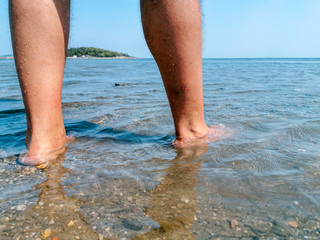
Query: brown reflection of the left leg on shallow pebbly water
62, 211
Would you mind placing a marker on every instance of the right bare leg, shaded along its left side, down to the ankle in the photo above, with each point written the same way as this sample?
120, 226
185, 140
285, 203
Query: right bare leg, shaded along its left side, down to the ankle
173, 31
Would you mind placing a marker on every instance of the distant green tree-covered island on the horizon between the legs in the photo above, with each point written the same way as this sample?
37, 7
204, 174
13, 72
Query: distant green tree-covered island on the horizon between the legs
93, 52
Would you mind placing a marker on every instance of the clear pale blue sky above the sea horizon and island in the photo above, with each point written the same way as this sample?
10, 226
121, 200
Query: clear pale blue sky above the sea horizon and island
232, 28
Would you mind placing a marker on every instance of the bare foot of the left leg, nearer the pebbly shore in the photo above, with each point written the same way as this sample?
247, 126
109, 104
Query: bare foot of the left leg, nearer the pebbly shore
33, 158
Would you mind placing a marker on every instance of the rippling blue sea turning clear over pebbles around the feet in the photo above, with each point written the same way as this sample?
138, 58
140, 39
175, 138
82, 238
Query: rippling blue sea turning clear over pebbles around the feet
122, 179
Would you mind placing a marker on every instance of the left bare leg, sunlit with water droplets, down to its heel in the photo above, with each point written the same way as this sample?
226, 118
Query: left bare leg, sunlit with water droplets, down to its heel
40, 30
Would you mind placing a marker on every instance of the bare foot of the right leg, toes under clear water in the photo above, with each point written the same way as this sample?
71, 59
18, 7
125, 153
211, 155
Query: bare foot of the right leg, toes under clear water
214, 133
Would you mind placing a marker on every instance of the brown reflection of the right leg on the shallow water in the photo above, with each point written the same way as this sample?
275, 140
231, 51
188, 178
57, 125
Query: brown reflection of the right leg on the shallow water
173, 202
